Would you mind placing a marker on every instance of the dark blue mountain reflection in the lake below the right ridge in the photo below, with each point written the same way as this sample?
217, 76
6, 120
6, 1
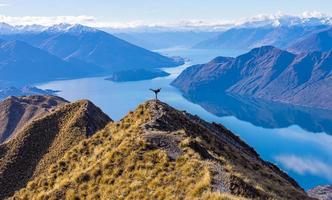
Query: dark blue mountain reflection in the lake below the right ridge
267, 114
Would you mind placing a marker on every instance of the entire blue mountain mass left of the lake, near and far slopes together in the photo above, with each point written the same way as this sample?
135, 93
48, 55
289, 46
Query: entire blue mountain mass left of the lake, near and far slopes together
70, 51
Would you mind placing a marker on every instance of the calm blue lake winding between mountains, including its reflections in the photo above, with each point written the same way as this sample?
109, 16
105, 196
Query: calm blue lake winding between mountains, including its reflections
298, 140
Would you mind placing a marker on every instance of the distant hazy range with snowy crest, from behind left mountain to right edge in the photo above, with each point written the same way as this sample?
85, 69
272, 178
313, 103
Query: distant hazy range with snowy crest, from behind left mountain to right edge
278, 30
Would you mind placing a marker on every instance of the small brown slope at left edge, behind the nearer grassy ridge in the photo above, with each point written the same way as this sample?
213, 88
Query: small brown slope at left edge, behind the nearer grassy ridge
16, 112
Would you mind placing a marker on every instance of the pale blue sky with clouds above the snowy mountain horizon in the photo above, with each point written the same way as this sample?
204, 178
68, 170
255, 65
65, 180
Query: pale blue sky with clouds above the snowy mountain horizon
153, 11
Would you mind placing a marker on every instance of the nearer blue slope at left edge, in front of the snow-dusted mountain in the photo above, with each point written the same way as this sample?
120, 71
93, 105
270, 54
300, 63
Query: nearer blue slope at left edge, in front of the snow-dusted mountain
22, 64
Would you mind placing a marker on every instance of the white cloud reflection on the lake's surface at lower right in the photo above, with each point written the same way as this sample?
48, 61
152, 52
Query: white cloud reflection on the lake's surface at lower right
305, 166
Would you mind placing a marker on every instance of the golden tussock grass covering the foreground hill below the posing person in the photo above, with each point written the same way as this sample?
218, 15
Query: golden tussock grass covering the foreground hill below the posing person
116, 164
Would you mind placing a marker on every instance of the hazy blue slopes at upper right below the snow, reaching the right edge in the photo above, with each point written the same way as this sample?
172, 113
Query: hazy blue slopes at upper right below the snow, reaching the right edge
296, 38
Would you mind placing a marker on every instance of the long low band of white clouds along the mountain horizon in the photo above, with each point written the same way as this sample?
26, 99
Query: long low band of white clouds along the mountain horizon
194, 24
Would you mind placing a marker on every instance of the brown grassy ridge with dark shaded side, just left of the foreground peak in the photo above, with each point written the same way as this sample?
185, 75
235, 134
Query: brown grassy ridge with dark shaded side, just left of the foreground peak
44, 141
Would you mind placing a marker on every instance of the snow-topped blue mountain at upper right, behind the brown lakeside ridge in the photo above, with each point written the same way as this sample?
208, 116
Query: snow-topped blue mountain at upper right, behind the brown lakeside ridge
282, 31
